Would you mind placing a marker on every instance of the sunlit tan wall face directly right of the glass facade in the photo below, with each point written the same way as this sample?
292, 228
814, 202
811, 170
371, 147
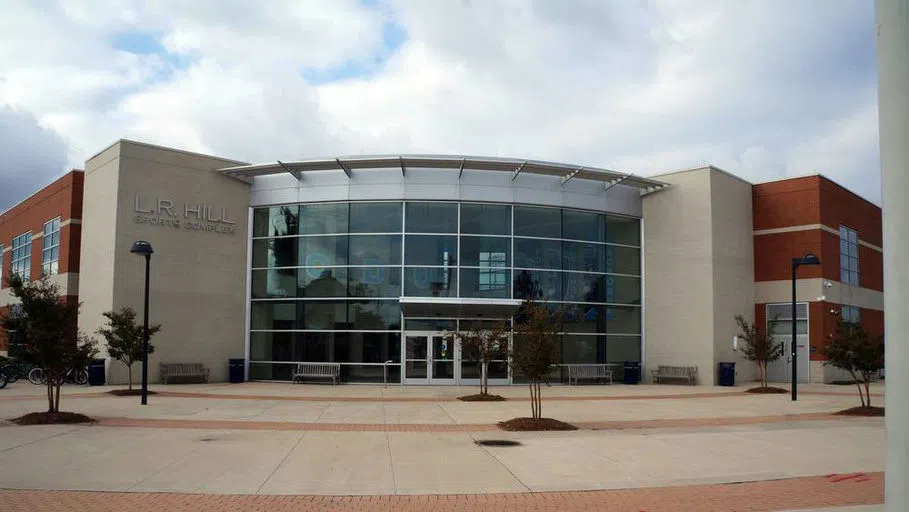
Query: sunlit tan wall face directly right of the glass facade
678, 283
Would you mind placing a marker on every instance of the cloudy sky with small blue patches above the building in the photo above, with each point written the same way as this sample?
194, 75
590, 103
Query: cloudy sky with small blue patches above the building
763, 89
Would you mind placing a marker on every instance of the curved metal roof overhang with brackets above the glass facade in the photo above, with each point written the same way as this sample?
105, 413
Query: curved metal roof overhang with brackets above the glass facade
515, 166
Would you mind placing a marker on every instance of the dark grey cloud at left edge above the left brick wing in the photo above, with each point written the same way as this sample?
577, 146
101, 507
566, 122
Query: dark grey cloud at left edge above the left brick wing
32, 156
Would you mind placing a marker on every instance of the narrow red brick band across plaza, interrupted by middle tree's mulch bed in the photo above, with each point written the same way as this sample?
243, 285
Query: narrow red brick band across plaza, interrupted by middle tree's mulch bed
451, 427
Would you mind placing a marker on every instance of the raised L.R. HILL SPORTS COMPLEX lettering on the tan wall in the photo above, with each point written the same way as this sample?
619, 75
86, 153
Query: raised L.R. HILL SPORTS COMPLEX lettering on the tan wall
190, 216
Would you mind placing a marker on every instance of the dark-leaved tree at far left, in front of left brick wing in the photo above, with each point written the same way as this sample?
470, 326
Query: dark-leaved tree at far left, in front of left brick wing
45, 324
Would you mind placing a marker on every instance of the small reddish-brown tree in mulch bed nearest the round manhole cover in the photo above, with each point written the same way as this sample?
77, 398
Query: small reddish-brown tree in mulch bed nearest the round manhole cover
534, 351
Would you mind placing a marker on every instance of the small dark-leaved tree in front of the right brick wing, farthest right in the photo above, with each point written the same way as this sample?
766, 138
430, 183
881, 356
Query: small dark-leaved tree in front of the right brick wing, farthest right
854, 350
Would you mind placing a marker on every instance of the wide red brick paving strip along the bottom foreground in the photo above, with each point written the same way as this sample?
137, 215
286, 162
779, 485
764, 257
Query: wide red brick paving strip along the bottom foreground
793, 493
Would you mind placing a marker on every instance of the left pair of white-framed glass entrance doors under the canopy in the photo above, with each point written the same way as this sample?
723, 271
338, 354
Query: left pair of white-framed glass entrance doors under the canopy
430, 359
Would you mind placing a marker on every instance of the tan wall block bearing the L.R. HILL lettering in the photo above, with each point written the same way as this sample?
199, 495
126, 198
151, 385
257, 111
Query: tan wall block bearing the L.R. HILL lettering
198, 278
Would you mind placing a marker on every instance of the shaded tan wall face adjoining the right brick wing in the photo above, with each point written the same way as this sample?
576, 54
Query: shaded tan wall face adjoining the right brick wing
733, 267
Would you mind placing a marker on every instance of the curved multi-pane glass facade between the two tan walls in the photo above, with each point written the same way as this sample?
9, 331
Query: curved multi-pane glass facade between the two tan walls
326, 278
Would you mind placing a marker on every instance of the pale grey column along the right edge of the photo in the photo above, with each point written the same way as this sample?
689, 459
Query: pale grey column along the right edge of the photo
893, 106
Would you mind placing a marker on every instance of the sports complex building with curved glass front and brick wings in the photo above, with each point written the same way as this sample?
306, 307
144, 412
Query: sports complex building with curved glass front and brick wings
367, 261
